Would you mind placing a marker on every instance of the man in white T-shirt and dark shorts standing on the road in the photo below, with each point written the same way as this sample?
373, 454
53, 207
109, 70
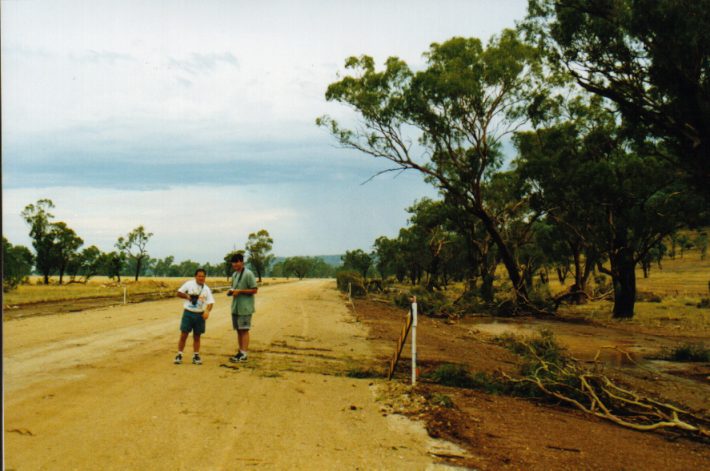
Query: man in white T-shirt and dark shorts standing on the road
198, 304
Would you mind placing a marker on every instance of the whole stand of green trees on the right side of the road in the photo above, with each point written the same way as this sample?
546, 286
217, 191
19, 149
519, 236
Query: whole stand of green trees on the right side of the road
607, 105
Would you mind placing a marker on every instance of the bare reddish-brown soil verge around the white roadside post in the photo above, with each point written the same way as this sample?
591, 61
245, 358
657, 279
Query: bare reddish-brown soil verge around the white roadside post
501, 432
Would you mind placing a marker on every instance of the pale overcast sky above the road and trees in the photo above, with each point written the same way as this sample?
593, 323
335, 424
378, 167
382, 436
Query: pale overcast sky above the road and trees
196, 119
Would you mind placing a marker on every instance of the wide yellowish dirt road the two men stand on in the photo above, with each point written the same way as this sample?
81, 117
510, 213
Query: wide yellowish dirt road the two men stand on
97, 390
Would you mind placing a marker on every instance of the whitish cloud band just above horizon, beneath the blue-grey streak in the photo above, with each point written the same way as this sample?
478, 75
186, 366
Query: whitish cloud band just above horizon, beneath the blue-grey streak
204, 223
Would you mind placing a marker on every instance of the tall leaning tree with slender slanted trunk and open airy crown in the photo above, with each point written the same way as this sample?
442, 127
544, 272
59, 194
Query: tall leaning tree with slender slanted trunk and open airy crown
457, 109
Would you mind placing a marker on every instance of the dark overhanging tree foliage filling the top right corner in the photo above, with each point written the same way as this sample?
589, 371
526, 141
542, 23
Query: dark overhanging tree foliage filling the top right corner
649, 57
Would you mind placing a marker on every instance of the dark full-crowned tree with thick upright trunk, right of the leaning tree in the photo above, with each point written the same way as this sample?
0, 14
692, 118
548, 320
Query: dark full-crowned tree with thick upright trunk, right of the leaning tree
617, 197
